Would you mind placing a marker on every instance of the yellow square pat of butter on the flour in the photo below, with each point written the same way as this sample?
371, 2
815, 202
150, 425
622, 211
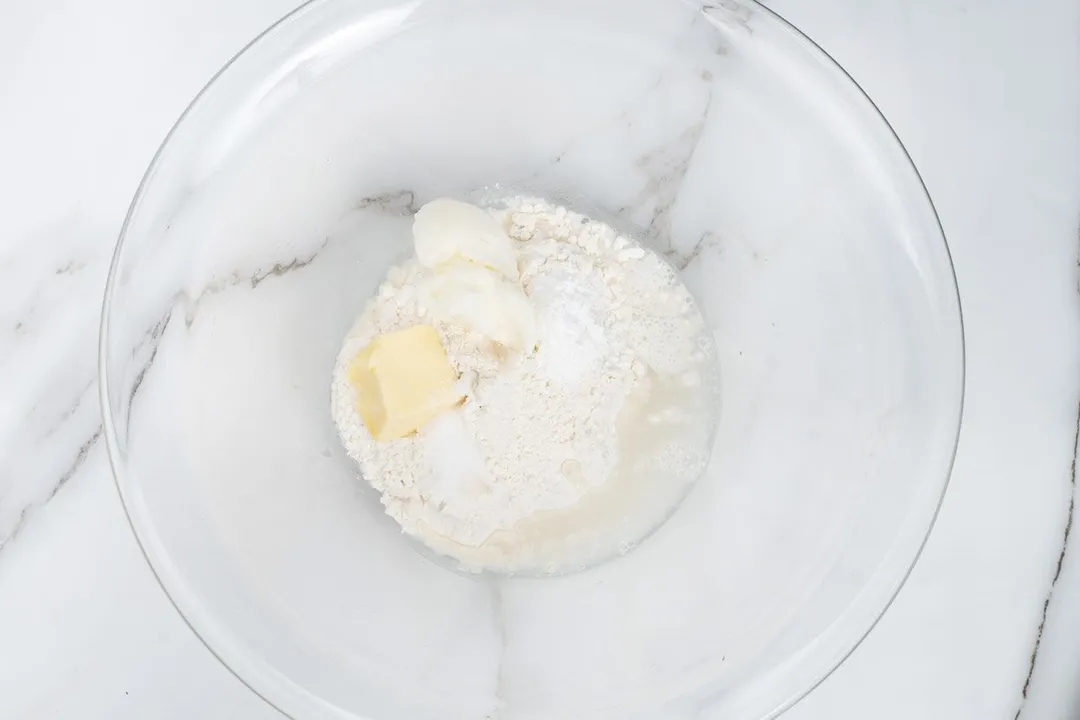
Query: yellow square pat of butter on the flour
402, 381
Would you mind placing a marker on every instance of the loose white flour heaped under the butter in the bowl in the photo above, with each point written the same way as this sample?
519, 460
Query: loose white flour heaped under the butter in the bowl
537, 433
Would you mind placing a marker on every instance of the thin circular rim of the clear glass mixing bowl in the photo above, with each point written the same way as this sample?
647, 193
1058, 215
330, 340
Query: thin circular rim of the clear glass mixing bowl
114, 445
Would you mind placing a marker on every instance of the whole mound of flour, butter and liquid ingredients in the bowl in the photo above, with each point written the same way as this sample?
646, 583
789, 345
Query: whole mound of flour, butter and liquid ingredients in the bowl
531, 392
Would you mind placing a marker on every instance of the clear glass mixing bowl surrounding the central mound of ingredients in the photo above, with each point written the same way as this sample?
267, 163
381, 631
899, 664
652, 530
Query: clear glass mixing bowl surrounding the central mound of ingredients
735, 146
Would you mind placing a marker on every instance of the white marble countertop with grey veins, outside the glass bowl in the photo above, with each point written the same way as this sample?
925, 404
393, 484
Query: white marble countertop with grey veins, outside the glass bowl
984, 96
